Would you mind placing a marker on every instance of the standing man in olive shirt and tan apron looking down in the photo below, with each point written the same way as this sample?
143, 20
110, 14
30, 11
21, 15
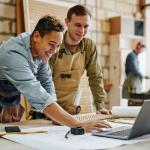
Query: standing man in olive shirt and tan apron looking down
76, 54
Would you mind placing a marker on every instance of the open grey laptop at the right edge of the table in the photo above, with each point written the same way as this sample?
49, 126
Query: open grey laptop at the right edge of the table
140, 127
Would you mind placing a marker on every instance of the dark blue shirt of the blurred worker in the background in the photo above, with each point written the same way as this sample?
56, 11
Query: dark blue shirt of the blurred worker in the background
132, 65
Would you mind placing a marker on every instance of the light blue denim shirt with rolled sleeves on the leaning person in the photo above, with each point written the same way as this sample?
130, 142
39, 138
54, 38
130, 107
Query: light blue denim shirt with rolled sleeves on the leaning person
31, 77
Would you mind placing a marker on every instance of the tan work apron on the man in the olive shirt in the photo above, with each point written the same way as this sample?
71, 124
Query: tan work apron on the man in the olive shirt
68, 70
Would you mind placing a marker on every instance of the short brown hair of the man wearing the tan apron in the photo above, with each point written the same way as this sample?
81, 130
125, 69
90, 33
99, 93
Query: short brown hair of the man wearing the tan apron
78, 10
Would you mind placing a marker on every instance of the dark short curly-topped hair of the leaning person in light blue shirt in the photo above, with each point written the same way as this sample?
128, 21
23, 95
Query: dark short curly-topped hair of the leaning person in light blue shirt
47, 24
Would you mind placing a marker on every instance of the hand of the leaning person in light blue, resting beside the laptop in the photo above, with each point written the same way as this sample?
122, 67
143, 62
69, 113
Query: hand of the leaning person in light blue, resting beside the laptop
94, 125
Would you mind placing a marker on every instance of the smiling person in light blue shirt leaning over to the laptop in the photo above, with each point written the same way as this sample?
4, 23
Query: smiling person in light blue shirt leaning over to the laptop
24, 69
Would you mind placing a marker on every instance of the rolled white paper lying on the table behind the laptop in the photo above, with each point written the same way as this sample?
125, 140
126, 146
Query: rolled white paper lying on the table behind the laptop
128, 111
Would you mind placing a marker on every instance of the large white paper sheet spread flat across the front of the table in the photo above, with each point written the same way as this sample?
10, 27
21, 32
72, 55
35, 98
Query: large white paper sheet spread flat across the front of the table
55, 140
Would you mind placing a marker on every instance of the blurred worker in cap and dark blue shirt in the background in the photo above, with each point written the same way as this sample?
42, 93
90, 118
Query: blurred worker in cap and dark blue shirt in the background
134, 77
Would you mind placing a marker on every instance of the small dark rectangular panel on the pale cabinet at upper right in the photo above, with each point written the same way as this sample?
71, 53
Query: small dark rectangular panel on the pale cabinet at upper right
139, 27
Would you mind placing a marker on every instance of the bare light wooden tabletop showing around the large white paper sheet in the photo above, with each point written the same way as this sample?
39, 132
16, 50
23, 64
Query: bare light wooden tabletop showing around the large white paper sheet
9, 145
